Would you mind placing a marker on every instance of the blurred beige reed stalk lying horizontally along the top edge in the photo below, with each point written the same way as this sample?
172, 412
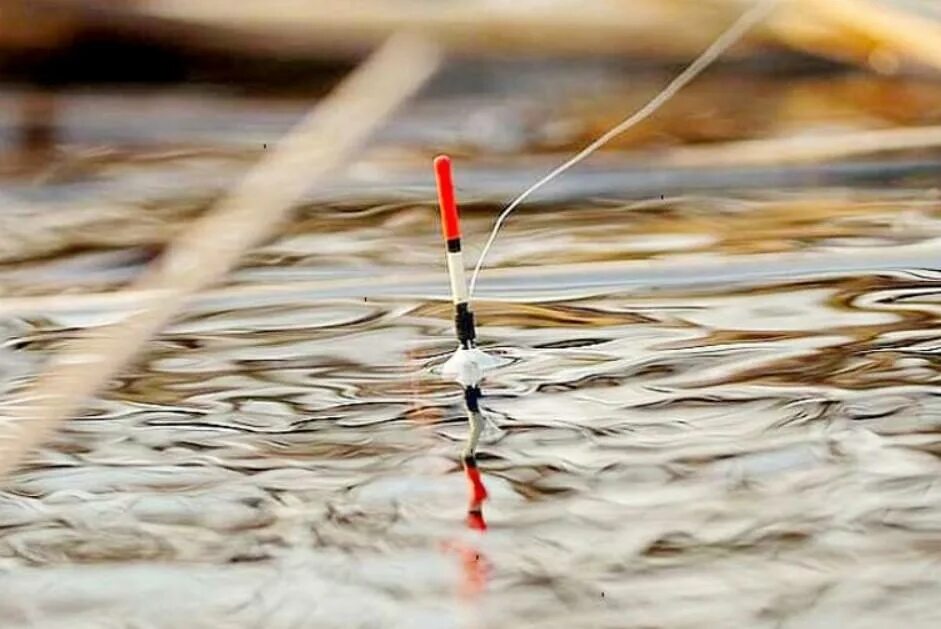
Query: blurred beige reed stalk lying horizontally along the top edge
639, 27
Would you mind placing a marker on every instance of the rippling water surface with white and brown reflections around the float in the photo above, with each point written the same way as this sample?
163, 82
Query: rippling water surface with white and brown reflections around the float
670, 446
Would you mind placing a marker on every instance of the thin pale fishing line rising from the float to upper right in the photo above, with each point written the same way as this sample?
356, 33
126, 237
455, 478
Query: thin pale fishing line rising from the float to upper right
748, 20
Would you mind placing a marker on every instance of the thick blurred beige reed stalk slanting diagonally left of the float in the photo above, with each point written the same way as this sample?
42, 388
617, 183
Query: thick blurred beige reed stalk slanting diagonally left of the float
315, 148
